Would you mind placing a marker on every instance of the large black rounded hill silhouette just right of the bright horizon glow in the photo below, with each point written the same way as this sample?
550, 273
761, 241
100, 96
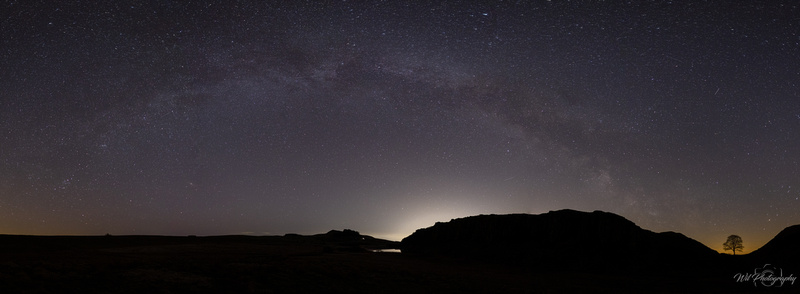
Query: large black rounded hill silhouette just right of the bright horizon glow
559, 239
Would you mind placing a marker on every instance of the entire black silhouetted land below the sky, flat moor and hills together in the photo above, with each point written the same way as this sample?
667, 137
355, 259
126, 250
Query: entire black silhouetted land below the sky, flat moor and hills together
558, 252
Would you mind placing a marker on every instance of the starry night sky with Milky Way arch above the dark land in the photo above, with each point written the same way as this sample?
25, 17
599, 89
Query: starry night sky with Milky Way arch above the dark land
265, 118
